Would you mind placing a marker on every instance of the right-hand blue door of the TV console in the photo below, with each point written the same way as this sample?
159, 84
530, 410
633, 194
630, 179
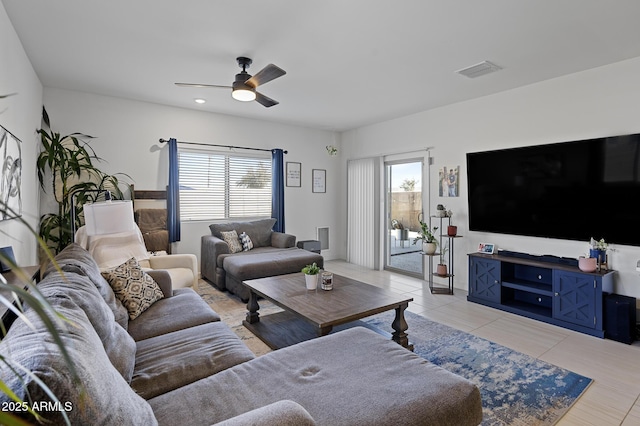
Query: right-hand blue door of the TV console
575, 298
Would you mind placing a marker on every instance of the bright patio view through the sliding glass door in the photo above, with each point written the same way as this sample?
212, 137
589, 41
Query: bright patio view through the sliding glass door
403, 213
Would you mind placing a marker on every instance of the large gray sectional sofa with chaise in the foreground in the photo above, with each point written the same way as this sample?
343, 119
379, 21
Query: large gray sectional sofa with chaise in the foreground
177, 363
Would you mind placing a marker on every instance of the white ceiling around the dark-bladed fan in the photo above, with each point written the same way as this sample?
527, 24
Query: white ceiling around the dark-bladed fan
349, 62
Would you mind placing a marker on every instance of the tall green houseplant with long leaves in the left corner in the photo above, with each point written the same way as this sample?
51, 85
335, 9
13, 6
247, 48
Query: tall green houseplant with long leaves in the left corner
66, 165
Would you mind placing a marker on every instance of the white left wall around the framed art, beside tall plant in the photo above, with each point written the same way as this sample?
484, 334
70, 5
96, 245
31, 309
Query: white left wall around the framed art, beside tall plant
20, 114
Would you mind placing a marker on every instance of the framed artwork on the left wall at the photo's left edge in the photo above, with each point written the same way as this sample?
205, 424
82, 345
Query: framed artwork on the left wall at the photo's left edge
11, 184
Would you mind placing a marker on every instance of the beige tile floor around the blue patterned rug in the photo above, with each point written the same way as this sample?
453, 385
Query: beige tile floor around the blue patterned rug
613, 397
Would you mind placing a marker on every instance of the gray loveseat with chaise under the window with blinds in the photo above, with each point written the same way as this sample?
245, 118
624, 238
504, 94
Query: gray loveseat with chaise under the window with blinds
273, 253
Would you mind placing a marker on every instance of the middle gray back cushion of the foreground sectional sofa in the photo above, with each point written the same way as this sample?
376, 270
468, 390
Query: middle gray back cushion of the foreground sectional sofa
118, 344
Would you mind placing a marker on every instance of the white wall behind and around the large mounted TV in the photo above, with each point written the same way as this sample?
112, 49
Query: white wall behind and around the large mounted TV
594, 103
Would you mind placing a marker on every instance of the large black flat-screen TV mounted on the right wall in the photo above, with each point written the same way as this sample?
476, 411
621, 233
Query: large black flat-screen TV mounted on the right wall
571, 190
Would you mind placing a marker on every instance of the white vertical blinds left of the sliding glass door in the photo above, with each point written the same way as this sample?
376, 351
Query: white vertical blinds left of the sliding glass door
362, 227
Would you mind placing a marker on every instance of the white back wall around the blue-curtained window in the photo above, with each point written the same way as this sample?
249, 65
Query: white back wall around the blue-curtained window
127, 135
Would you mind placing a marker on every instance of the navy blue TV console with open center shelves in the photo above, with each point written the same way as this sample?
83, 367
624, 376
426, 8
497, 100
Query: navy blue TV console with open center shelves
544, 288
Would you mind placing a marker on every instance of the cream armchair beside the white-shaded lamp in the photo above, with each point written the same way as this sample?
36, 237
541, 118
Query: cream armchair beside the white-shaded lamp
111, 250
